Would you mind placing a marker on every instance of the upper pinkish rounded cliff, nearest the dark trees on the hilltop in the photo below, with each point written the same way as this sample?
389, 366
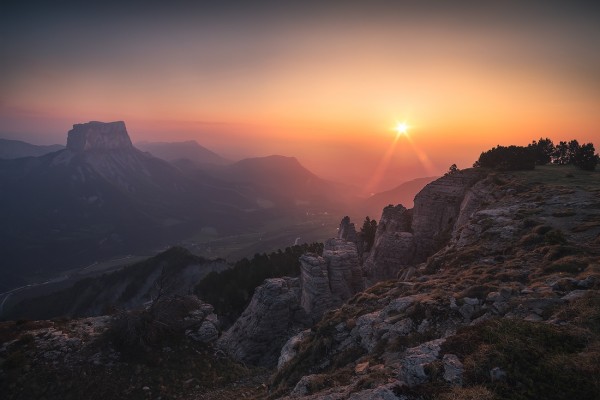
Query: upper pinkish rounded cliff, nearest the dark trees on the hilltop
407, 237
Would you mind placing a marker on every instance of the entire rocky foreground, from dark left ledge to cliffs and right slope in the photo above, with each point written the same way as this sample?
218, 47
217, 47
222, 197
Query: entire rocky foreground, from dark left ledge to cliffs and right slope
494, 295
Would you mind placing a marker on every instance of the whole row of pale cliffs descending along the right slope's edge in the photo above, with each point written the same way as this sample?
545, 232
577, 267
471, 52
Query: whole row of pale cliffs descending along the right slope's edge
328, 281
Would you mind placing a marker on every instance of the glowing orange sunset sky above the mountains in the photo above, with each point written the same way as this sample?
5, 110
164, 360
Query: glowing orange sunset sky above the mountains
323, 82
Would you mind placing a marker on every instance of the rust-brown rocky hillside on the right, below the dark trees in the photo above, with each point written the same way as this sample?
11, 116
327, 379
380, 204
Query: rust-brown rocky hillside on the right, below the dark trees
507, 306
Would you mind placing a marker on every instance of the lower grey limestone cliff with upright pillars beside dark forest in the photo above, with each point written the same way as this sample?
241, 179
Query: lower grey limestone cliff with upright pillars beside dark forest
282, 307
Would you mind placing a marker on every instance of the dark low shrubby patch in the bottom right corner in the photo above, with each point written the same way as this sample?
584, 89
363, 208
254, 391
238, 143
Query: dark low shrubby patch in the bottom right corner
539, 360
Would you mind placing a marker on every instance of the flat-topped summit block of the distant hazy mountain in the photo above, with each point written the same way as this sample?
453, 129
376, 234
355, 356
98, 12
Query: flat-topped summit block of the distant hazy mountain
98, 136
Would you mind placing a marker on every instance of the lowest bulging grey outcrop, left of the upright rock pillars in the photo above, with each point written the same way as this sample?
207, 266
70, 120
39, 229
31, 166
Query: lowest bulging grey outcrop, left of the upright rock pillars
273, 315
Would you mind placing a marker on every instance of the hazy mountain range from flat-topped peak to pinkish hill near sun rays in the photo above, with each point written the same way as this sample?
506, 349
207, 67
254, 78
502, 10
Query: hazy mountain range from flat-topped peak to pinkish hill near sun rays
101, 197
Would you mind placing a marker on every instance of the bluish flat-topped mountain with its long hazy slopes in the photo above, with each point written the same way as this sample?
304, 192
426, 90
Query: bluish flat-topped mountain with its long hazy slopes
101, 197
